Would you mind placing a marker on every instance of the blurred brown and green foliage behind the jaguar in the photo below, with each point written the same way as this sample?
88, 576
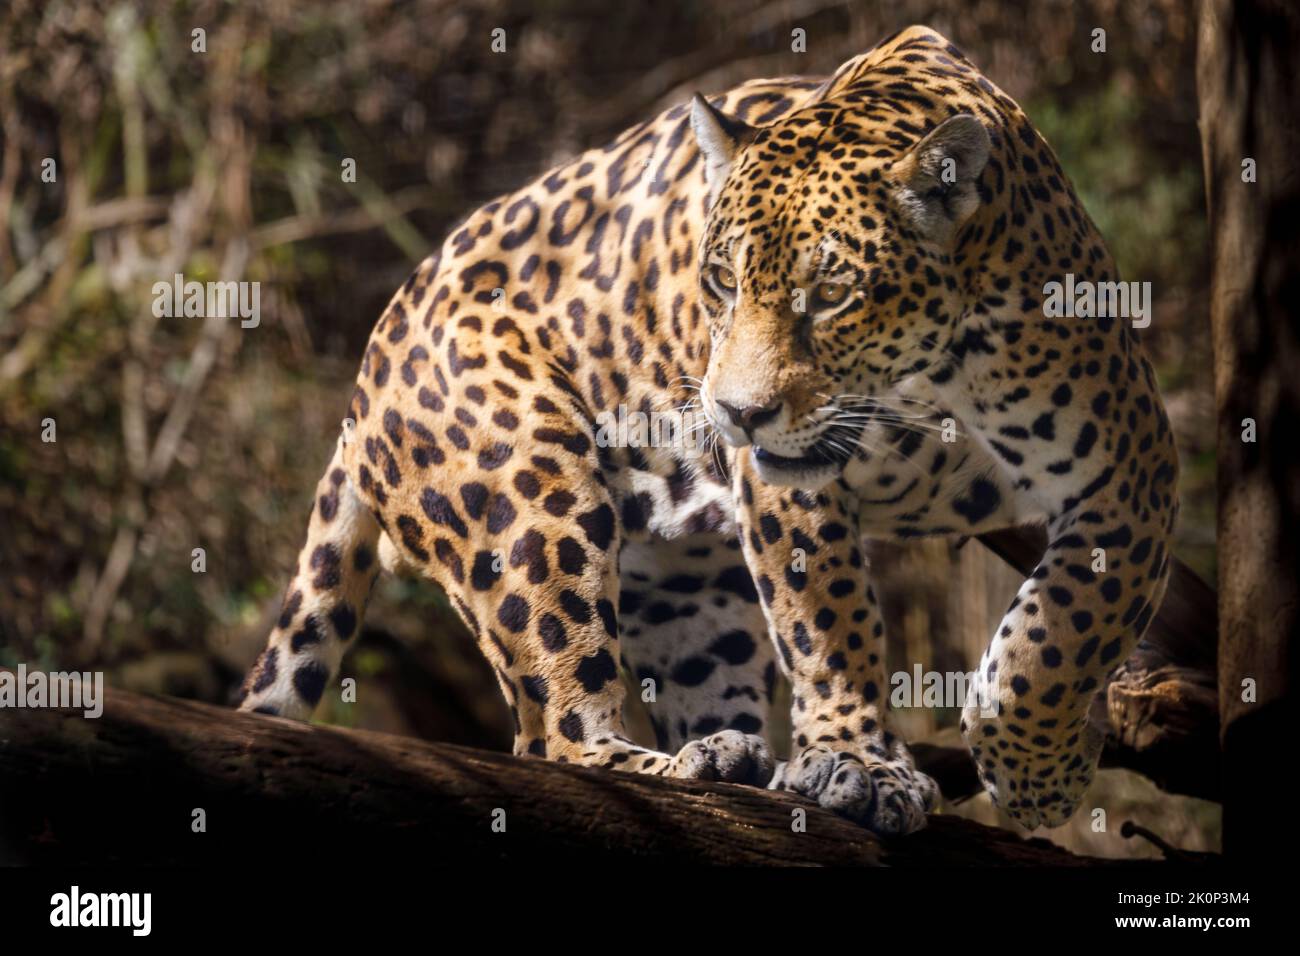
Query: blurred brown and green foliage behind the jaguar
174, 435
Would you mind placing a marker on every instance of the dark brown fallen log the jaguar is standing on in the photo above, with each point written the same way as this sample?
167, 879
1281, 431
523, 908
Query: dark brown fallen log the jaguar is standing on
124, 789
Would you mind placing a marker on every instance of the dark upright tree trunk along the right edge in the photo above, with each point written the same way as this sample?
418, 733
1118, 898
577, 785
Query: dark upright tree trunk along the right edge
1249, 97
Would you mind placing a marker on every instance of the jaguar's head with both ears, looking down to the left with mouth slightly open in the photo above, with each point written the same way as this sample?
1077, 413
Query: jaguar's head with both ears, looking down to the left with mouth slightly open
827, 274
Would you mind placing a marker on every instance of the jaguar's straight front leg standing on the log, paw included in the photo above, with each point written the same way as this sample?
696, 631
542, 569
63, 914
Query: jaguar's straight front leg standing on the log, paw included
822, 613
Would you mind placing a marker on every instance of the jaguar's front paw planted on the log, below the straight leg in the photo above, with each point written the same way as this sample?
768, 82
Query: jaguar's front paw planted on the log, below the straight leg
887, 797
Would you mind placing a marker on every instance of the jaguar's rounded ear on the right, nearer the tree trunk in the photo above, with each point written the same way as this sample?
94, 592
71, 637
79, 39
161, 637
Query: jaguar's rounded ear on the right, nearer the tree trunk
937, 181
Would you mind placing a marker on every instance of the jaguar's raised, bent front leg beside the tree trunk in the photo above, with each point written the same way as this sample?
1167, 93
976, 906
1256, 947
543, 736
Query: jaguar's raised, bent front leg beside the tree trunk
1077, 617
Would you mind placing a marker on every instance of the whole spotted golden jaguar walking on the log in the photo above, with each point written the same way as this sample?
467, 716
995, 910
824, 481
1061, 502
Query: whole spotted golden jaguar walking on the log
846, 267
